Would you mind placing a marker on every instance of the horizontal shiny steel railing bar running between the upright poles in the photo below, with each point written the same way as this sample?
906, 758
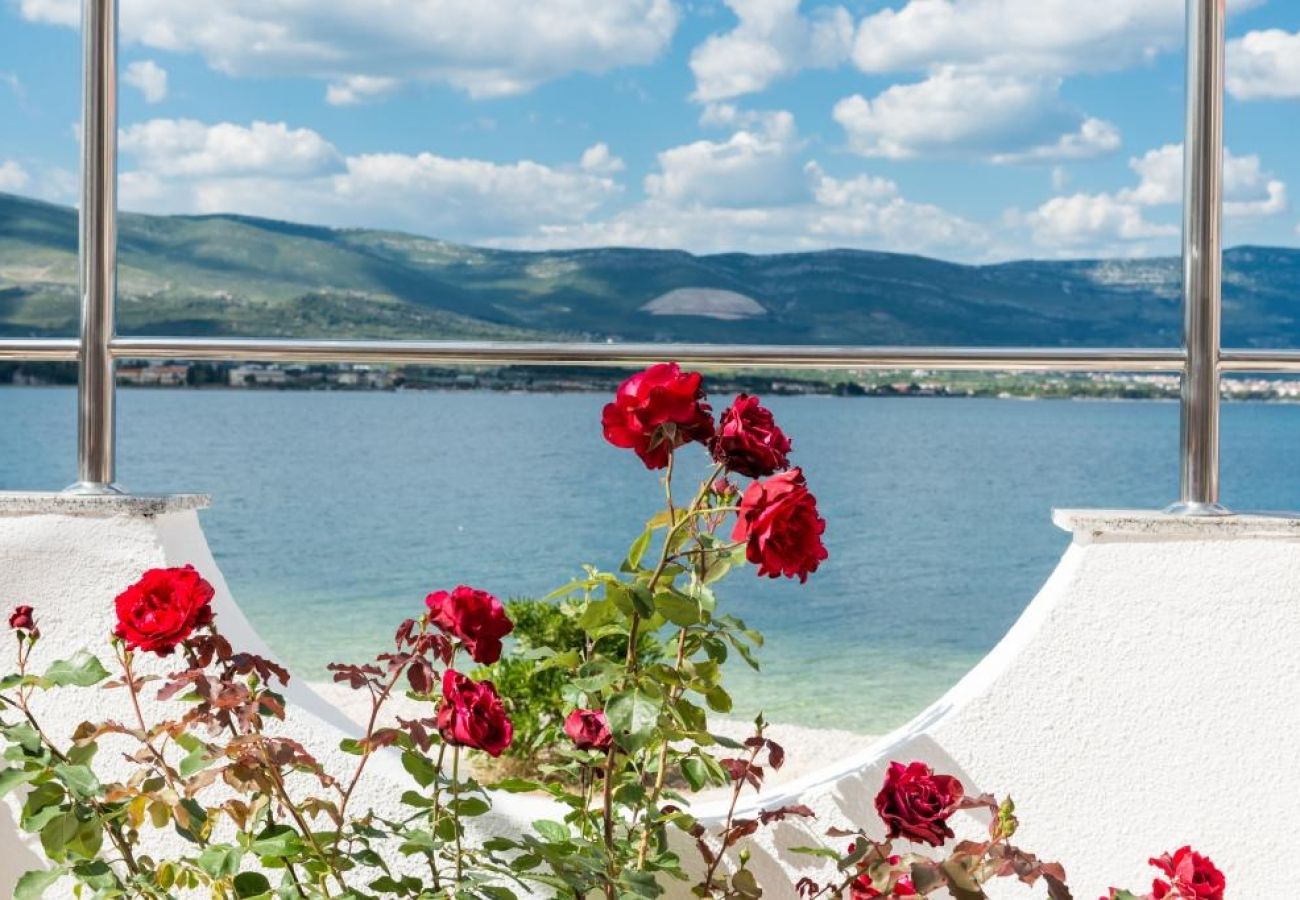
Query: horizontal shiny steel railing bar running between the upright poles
291, 351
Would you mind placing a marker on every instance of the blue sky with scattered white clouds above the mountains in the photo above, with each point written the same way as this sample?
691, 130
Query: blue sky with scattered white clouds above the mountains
973, 131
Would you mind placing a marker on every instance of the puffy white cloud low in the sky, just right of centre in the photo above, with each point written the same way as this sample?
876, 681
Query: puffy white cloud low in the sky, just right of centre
757, 166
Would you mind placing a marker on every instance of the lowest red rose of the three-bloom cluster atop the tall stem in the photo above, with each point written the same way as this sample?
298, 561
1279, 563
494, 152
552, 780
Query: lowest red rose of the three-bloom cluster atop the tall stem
781, 526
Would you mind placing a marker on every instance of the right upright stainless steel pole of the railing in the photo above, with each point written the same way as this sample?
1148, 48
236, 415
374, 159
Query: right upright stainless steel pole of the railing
1203, 258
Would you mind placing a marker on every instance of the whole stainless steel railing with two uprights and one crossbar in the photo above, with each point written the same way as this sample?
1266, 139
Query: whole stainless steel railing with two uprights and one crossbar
1201, 362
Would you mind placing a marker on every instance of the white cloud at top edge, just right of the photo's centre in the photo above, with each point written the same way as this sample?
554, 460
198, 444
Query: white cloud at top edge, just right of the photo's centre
772, 41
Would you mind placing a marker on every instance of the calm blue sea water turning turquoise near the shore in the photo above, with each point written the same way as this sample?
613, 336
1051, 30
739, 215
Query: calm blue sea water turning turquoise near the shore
336, 513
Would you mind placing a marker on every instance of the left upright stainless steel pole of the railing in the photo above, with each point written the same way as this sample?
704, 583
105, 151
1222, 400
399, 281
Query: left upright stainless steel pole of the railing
96, 388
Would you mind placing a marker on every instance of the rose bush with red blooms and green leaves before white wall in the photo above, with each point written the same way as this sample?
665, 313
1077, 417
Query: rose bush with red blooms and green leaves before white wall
634, 659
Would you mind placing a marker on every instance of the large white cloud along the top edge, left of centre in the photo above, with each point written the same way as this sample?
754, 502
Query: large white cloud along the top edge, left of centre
484, 47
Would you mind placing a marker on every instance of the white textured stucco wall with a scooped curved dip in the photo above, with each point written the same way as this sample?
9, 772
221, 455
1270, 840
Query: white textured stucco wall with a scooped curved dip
1146, 699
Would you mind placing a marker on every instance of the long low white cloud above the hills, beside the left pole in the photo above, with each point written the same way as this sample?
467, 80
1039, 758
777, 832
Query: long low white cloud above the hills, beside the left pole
271, 170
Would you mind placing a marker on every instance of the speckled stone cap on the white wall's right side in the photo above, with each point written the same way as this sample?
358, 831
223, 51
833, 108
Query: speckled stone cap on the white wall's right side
1089, 526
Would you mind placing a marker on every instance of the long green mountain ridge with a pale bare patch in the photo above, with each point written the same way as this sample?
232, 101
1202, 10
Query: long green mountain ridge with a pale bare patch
241, 276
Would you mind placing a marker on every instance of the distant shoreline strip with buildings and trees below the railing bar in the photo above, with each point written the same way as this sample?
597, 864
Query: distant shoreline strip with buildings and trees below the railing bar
847, 383
